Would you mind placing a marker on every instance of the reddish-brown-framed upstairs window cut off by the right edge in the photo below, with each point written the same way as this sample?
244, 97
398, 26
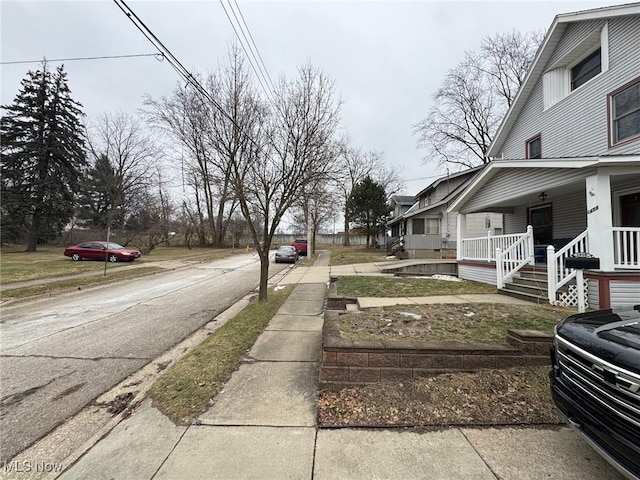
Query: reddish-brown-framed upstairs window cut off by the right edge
625, 113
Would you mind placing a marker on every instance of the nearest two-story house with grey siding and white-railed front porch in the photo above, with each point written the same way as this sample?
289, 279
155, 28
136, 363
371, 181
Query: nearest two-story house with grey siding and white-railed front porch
566, 168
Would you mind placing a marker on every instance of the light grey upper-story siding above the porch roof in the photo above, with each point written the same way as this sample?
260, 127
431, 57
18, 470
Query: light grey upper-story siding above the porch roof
576, 126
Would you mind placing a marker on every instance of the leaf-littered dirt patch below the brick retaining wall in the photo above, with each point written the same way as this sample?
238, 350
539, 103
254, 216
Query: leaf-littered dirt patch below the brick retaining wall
514, 396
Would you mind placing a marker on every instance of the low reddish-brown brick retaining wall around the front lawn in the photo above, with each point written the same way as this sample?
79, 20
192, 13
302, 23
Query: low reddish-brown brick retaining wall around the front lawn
347, 361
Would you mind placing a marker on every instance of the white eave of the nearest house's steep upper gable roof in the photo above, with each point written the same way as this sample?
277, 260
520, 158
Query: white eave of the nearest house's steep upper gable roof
539, 64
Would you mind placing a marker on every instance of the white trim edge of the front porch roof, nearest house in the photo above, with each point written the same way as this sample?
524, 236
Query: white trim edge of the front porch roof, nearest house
494, 167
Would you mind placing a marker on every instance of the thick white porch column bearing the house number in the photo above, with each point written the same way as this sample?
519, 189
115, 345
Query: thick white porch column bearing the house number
600, 218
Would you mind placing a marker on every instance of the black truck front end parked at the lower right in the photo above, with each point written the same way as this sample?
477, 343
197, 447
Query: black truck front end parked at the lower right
595, 382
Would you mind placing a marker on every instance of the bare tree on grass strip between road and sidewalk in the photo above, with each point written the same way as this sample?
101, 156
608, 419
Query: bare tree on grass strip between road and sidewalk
288, 153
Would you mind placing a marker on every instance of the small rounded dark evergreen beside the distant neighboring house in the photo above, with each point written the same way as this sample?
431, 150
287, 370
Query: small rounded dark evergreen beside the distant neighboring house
368, 208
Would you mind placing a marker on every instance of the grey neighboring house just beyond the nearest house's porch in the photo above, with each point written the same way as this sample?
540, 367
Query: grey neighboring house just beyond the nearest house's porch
426, 230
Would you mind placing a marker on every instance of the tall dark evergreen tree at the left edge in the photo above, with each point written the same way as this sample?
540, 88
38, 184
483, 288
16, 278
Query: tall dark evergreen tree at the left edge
43, 158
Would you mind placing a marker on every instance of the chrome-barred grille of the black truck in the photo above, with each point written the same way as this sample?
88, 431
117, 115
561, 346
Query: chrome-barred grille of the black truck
614, 388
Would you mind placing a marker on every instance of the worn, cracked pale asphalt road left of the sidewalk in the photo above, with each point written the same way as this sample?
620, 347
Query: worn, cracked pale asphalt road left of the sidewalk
58, 355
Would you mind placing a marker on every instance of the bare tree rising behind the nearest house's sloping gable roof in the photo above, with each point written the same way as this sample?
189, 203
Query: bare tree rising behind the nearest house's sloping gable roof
473, 99
